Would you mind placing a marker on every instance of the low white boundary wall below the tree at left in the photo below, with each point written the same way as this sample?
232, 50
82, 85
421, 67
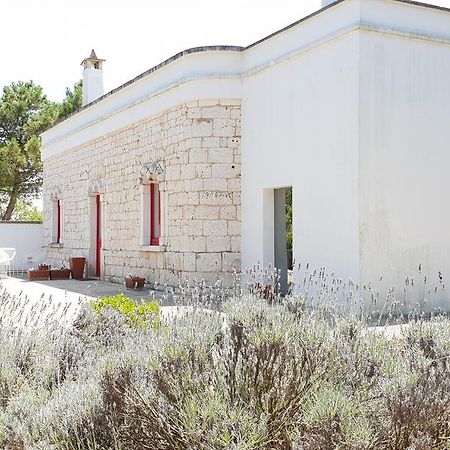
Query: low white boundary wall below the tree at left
26, 238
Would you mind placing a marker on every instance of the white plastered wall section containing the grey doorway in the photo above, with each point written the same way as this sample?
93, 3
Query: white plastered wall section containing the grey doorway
300, 122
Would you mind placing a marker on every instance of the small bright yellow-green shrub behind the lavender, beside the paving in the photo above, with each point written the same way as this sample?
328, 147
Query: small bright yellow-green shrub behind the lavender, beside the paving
137, 314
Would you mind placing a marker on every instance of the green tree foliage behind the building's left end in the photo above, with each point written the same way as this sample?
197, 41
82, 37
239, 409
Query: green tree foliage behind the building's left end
25, 112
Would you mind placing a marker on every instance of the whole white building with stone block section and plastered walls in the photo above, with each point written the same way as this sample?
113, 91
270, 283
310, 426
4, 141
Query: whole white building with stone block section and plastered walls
349, 106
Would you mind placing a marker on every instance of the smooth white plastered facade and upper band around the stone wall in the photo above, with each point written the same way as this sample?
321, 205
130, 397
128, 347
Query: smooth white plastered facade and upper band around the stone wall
349, 106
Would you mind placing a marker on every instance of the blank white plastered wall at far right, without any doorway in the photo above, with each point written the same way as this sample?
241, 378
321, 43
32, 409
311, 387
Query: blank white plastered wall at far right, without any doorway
405, 158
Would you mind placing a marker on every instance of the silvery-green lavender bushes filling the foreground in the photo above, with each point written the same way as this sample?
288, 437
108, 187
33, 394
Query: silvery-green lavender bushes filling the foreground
257, 372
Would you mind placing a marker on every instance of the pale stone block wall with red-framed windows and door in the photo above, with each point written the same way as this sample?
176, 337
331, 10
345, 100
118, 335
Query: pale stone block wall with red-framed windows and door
199, 145
